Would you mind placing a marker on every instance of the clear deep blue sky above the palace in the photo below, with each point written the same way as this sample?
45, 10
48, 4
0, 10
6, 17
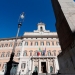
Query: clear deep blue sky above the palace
35, 11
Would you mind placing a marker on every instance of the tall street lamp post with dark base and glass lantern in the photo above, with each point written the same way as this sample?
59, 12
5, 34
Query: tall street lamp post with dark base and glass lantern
12, 63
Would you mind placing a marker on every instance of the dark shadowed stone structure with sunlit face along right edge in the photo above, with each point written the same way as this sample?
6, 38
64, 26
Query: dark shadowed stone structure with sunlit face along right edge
65, 24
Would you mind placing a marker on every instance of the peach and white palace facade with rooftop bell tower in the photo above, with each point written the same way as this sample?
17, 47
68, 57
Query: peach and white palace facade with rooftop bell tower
35, 51
